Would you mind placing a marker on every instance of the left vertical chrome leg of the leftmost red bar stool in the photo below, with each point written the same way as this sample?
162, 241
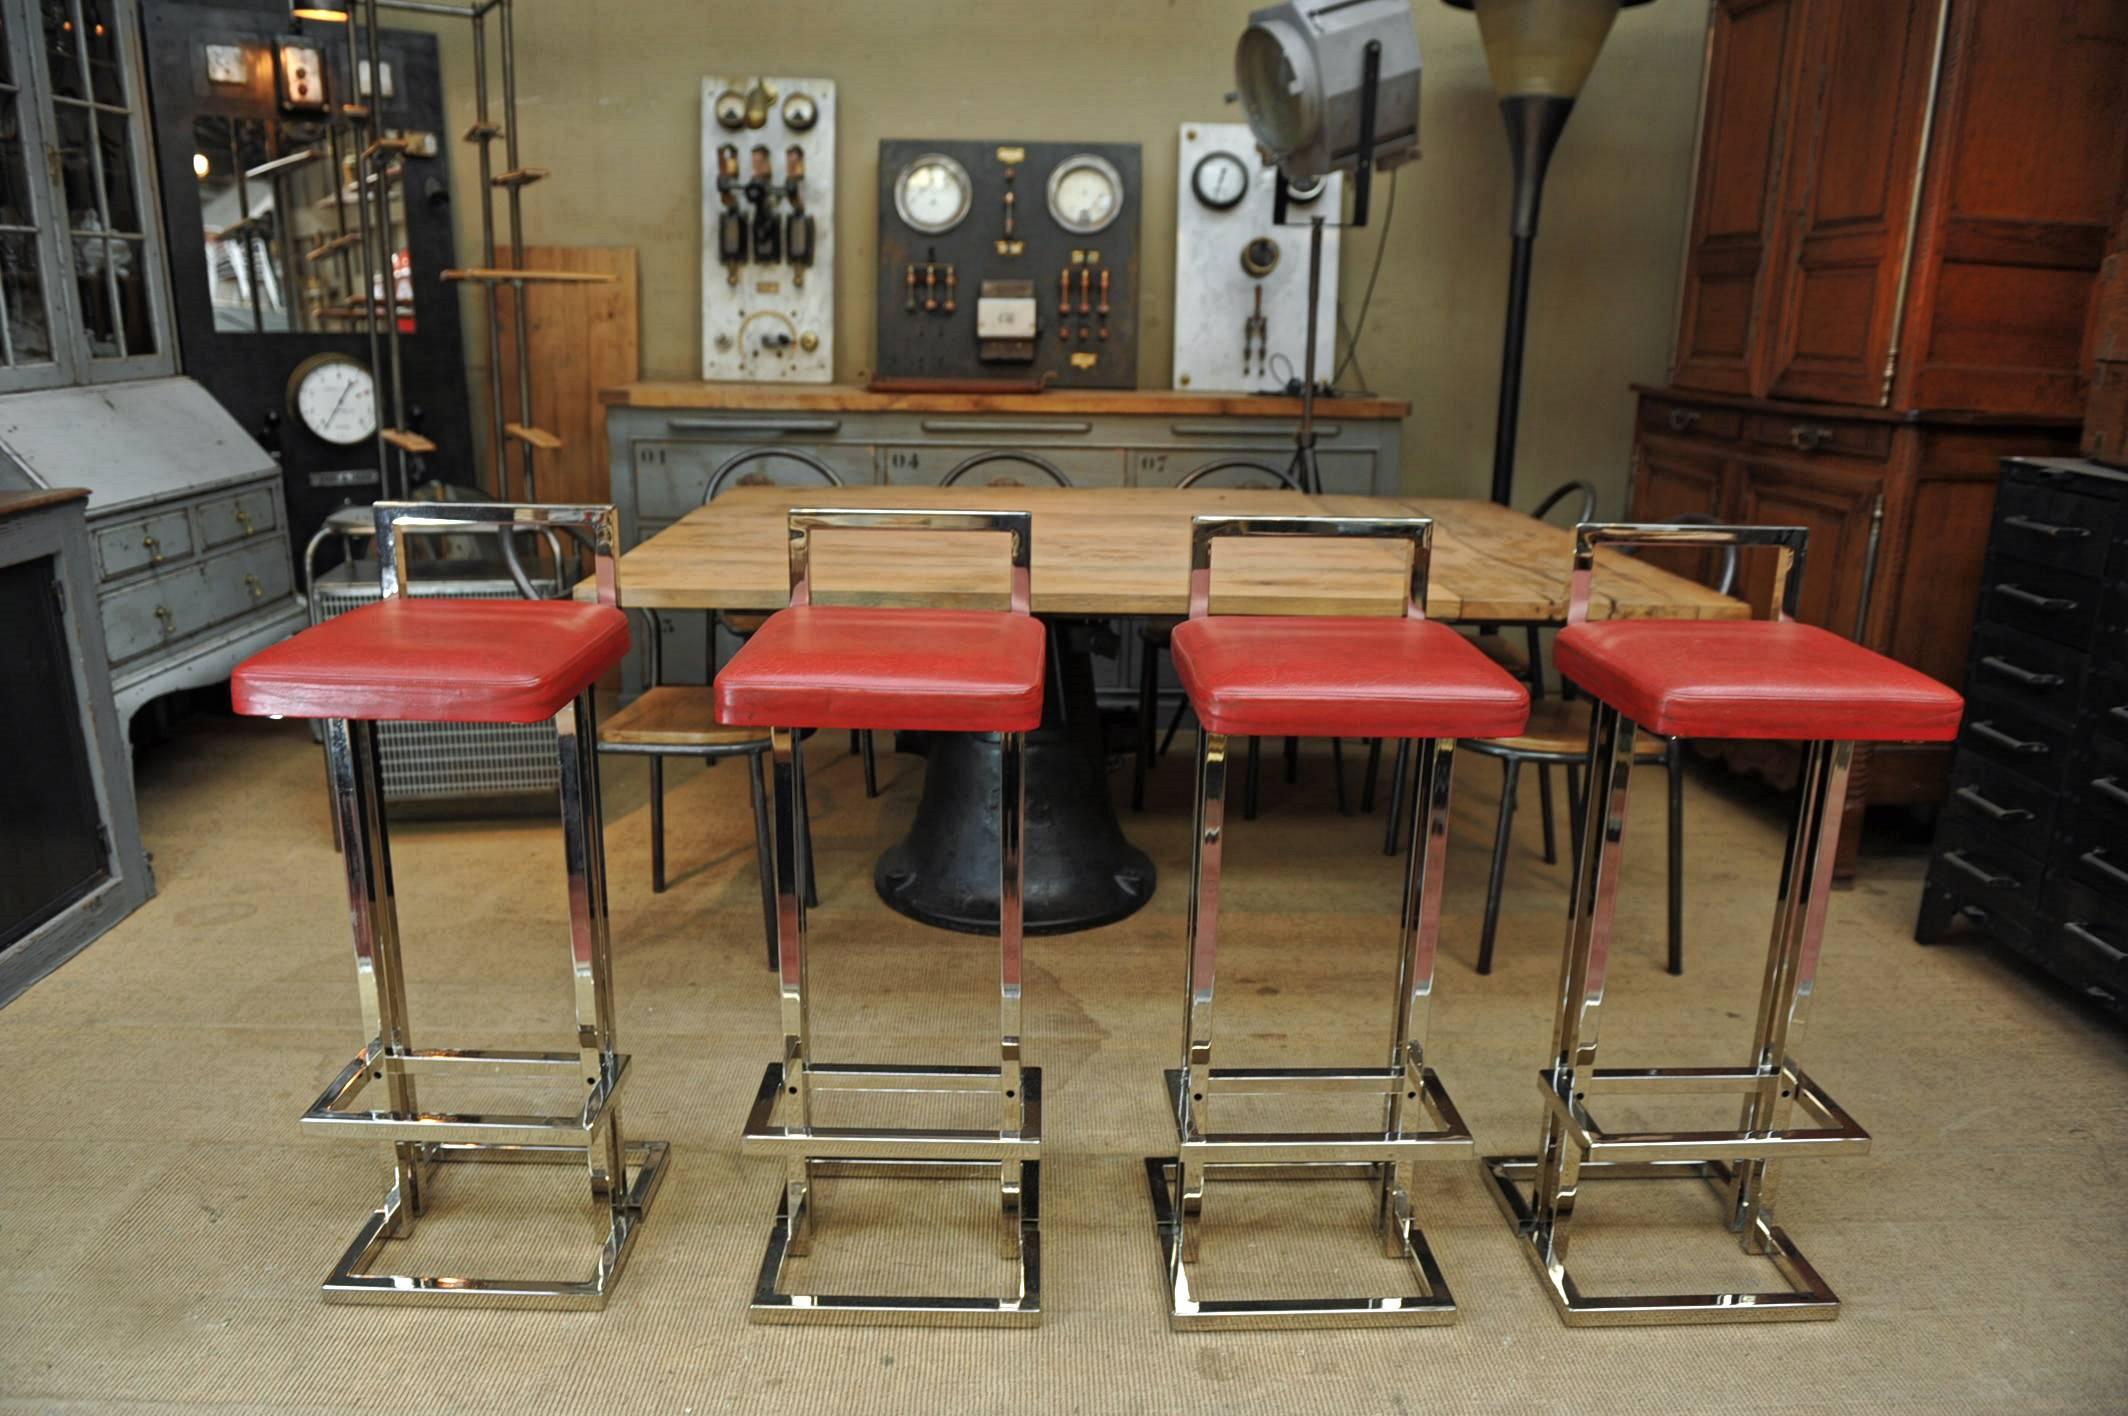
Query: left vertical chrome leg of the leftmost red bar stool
359, 797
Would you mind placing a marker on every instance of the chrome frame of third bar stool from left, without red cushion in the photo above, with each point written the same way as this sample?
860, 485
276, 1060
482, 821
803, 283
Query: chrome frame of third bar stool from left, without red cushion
1406, 1085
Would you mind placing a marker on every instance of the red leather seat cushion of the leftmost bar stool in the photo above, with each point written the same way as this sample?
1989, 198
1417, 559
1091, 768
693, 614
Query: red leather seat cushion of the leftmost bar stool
435, 661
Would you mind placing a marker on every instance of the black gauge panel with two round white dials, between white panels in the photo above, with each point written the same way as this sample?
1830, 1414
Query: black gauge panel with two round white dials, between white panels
1008, 265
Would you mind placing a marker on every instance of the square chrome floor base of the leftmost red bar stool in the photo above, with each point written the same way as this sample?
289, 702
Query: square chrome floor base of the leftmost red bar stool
352, 1285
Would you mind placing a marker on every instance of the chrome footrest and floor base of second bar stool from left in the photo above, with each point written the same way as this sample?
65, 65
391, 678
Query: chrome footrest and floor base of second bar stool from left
901, 1153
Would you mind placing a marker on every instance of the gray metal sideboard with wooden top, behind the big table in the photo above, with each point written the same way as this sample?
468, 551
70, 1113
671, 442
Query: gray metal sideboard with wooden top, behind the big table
669, 440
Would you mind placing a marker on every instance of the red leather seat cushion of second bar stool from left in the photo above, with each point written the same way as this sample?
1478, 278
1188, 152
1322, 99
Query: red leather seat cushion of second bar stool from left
916, 670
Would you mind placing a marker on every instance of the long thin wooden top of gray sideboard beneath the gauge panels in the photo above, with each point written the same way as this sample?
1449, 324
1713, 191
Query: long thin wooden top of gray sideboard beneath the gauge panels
1084, 401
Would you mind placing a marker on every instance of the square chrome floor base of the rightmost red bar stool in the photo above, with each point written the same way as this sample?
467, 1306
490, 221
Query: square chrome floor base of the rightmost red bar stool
1806, 1300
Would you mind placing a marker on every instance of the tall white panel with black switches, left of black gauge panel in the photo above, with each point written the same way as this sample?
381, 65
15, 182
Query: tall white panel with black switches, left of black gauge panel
769, 229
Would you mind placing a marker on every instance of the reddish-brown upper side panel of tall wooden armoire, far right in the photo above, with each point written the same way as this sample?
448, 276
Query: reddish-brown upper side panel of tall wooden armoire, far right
2027, 171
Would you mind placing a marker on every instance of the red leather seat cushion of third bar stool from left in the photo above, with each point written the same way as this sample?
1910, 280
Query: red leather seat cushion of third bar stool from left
1318, 676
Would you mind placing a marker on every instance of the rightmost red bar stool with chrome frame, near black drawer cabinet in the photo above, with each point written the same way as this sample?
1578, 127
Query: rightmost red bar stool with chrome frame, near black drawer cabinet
1708, 678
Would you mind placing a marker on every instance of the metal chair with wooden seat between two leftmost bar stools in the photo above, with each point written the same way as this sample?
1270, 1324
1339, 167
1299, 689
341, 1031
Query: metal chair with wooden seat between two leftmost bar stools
680, 721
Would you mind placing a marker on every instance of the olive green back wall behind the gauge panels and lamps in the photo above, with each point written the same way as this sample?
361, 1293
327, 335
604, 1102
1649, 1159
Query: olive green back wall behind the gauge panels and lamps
610, 101
